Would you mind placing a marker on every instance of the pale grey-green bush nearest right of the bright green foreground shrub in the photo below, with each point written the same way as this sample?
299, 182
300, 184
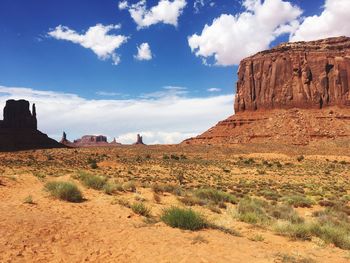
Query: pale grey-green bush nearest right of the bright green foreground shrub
252, 211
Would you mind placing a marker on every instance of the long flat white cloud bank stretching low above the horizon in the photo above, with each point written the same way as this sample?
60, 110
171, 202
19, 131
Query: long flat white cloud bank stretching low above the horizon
161, 118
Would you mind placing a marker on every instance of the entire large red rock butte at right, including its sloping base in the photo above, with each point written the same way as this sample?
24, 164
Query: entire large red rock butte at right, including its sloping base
293, 93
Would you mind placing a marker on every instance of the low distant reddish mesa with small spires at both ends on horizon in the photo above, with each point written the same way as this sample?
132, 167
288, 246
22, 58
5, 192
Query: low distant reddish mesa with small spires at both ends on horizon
88, 141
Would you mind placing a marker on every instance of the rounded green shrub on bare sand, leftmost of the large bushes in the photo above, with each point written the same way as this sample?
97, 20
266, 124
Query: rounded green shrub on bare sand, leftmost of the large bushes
65, 191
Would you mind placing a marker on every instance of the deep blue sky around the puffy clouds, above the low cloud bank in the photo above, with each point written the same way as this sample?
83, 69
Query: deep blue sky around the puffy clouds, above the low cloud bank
30, 59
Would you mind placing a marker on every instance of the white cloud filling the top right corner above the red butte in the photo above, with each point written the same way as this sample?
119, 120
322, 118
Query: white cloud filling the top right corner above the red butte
333, 21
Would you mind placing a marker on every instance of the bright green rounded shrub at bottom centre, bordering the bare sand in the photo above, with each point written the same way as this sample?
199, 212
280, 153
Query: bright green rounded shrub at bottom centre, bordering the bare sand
183, 218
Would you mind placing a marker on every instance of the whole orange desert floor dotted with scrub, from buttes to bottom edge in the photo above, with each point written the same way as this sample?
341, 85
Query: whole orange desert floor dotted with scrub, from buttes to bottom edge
260, 202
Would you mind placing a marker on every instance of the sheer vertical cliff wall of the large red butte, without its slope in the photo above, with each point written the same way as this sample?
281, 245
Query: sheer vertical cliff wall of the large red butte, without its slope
306, 75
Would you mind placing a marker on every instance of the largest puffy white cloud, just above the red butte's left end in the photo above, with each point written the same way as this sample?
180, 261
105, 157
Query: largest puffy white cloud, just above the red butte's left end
232, 37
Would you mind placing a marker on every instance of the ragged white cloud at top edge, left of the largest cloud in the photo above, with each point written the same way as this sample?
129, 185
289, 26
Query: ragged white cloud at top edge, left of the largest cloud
166, 11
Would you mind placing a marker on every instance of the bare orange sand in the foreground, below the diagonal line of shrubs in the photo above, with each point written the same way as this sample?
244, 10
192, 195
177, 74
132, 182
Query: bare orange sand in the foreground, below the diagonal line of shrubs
97, 231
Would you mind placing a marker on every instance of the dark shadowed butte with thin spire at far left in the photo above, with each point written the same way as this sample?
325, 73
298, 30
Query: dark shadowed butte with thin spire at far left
18, 129
